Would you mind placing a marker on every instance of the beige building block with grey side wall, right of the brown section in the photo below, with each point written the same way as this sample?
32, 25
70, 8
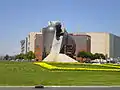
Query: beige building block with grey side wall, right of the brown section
106, 43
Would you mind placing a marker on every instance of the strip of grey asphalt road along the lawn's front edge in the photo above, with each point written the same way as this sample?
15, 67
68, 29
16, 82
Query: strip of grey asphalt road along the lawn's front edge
60, 88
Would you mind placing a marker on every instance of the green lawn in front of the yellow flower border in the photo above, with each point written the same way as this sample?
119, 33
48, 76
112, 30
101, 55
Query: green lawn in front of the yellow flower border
26, 73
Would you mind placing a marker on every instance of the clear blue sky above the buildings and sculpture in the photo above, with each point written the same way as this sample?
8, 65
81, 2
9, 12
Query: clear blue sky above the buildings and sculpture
19, 17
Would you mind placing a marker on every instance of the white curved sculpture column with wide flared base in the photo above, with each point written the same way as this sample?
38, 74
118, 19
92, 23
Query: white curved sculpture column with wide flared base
55, 55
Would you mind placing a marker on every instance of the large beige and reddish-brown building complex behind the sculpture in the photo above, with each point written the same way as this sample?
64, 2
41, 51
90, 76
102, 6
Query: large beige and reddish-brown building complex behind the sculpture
94, 42
